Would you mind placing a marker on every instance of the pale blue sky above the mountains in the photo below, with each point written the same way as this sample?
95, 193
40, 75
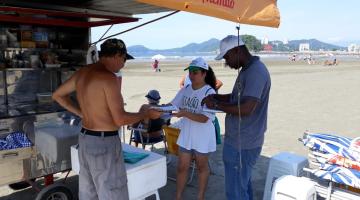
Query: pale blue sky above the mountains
332, 21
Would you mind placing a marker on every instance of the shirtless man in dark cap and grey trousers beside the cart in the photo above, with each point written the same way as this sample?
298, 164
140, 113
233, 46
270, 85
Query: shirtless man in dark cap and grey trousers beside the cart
101, 107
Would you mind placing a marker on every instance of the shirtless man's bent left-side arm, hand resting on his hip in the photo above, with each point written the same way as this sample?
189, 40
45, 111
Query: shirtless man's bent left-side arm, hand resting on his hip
62, 96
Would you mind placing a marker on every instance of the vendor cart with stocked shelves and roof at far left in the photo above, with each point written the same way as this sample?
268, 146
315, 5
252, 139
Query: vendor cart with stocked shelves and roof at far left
41, 46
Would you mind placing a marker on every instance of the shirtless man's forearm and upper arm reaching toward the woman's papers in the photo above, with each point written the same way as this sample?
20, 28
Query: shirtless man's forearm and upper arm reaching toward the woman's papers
116, 105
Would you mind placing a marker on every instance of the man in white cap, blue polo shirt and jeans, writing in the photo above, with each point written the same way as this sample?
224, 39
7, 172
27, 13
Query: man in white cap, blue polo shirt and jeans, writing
246, 116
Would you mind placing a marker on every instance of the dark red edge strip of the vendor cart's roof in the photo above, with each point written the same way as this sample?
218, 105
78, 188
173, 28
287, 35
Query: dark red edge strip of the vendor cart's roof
30, 16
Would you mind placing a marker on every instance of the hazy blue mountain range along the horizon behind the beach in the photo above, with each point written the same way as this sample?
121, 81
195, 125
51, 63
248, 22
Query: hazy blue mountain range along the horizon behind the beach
211, 46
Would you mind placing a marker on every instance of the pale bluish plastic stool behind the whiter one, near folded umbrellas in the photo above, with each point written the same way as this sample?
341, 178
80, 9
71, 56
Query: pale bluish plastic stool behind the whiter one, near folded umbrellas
284, 163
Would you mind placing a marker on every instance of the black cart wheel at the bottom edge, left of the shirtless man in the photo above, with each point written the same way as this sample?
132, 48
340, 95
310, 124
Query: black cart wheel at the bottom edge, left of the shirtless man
55, 192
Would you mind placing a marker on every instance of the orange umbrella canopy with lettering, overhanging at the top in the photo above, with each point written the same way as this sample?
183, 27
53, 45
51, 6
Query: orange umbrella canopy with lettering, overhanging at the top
255, 12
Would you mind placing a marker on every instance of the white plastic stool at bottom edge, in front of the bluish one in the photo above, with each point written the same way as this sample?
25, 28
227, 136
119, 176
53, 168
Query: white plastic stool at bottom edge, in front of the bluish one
290, 187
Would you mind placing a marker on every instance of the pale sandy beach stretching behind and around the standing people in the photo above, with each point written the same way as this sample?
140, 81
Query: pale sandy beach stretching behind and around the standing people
303, 97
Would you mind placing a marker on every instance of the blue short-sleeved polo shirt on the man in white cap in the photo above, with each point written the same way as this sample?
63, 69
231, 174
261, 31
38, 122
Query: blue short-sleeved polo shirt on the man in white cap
254, 83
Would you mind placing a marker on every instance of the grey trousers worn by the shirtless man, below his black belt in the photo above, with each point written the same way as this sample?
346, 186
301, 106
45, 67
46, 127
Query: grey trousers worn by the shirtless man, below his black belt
102, 169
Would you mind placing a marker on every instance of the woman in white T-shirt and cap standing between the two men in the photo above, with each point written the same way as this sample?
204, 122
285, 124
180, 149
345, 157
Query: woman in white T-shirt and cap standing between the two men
197, 137
